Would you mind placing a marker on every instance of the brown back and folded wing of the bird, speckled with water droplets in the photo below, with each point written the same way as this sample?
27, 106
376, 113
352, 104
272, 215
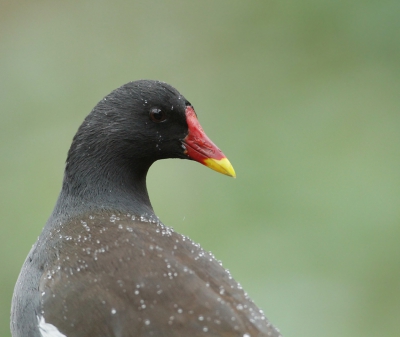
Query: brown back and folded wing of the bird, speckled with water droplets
145, 279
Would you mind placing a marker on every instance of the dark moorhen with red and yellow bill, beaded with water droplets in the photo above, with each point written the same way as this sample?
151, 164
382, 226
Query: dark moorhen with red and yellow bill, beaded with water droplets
104, 264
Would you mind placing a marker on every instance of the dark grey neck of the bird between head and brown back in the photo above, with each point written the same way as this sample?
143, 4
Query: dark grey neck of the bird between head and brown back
91, 185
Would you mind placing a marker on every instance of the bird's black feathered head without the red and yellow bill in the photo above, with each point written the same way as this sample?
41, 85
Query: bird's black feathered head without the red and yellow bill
134, 125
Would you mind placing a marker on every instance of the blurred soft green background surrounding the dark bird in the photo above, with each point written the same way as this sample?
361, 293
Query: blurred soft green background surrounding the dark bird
302, 96
